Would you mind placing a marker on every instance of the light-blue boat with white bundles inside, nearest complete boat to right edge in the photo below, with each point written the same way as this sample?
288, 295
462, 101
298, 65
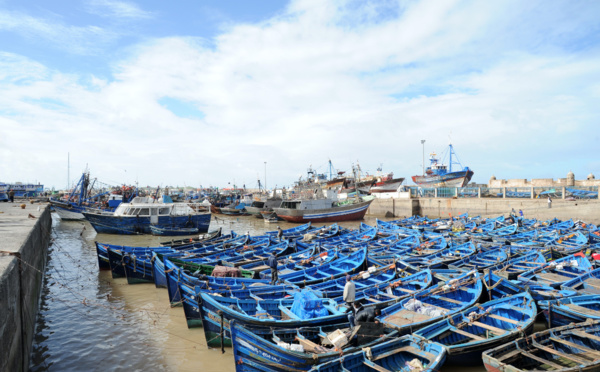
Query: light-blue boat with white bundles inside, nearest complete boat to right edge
557, 272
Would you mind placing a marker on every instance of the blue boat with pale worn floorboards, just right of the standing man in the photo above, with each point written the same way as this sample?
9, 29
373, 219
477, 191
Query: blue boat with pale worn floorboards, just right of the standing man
432, 304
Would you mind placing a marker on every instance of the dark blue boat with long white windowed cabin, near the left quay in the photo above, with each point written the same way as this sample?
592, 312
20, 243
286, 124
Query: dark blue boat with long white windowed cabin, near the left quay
137, 217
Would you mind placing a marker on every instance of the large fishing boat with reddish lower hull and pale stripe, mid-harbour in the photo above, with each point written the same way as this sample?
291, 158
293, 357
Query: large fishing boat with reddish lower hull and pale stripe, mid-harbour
324, 210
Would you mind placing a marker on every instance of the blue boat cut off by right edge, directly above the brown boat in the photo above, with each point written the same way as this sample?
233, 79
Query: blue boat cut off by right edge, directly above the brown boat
568, 310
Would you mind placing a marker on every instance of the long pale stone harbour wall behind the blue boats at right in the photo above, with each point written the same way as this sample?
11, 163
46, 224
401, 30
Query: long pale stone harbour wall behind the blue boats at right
587, 210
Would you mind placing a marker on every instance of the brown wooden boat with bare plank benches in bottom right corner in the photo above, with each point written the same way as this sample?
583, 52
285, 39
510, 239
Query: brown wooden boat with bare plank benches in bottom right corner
572, 348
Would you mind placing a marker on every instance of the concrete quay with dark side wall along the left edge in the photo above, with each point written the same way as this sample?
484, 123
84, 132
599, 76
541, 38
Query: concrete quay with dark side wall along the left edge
24, 240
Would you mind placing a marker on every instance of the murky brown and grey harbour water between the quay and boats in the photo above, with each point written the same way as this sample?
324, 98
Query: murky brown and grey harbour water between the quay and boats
91, 322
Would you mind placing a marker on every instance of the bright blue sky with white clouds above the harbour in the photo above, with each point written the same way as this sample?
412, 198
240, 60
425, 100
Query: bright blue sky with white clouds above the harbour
217, 93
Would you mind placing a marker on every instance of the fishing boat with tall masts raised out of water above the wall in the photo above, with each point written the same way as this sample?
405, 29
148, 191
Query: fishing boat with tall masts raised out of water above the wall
440, 175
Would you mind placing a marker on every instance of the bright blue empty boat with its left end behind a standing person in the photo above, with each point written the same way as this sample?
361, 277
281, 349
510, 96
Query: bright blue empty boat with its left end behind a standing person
347, 265
